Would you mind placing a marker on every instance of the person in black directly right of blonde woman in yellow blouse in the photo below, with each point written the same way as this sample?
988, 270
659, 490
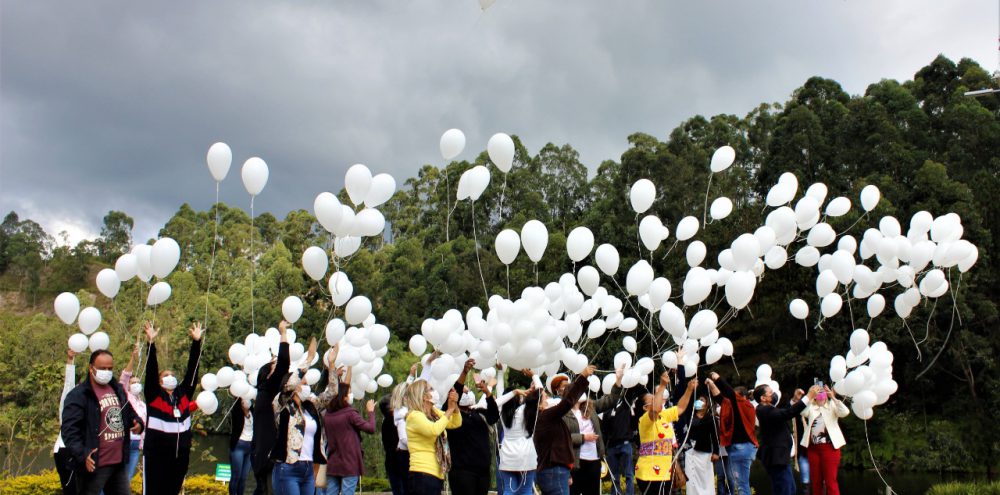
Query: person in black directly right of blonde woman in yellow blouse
470, 443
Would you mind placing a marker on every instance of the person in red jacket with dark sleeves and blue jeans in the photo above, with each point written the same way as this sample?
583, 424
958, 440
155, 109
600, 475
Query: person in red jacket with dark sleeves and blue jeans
736, 434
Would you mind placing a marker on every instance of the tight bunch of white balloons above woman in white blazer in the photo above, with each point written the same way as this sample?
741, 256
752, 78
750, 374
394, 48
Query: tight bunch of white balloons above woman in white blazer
869, 382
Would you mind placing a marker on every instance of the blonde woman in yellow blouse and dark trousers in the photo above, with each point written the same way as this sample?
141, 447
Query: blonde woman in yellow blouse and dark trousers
428, 443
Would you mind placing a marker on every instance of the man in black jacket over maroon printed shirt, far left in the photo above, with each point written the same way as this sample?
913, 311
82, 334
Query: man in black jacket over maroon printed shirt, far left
96, 415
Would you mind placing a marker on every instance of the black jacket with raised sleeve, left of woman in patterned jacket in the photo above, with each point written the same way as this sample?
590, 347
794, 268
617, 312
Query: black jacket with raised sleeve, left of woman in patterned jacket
264, 429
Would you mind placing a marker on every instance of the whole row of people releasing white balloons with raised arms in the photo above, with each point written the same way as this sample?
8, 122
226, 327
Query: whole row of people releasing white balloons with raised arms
700, 433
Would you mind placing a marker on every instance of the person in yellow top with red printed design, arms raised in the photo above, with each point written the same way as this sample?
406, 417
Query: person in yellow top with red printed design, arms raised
656, 438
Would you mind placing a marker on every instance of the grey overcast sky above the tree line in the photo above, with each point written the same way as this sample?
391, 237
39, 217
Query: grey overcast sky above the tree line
112, 105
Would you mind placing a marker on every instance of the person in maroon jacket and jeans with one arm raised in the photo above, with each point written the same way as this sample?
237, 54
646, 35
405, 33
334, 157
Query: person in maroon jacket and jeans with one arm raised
344, 426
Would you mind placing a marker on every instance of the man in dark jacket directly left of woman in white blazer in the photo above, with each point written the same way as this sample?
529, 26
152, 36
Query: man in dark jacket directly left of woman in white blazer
775, 436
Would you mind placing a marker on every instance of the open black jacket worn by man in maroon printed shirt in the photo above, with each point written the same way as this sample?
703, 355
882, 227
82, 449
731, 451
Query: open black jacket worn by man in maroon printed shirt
82, 420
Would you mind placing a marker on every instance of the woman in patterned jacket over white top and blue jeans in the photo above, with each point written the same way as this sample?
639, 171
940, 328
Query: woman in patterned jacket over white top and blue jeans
300, 440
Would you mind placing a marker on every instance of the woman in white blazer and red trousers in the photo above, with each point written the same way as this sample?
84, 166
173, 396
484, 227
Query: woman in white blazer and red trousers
823, 440
